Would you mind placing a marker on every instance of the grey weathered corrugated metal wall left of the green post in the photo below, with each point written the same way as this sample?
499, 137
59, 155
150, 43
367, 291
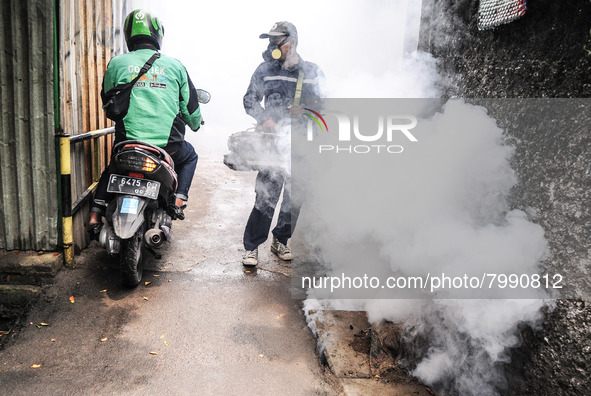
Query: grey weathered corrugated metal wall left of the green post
28, 176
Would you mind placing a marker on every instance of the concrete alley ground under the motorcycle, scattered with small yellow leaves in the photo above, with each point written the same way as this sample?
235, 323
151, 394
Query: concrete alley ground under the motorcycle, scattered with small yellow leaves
197, 324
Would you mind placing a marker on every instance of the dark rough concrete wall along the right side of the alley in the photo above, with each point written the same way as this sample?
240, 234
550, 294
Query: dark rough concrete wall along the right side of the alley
545, 54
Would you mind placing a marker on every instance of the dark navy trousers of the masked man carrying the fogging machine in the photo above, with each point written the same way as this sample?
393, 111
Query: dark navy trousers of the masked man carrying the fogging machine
268, 188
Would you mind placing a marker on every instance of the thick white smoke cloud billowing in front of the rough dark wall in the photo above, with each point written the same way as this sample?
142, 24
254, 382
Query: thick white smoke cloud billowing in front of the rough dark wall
449, 213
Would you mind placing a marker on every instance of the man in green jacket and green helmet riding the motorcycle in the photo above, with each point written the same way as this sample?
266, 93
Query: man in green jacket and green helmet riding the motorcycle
162, 102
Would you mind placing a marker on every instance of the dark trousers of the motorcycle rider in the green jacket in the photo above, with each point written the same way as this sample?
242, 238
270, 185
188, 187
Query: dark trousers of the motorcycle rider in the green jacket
185, 161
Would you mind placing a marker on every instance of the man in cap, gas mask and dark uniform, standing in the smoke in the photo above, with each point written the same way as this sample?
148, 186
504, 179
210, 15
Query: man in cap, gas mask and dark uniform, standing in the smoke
282, 80
